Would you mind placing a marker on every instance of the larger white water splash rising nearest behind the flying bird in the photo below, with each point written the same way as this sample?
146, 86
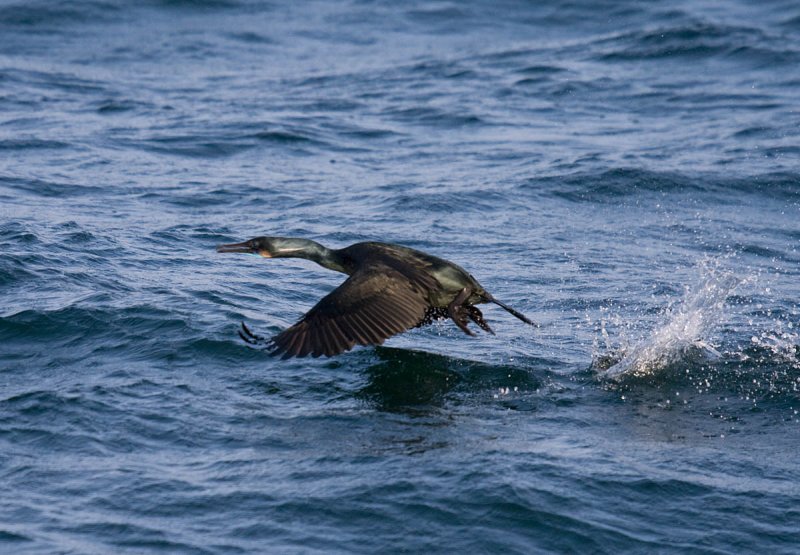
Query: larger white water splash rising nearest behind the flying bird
684, 333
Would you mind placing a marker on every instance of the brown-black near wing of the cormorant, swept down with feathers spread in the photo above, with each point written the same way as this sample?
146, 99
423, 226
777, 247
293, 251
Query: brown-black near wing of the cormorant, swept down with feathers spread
372, 305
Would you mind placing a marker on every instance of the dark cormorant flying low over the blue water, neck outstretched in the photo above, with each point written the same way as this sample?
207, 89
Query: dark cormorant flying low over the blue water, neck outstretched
391, 289
